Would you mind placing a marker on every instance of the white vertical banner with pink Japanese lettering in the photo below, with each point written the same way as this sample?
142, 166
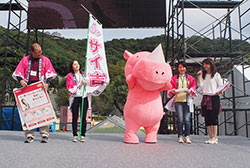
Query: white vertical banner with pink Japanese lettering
97, 69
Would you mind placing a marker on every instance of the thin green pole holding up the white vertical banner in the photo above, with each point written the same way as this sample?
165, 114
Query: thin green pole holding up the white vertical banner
84, 85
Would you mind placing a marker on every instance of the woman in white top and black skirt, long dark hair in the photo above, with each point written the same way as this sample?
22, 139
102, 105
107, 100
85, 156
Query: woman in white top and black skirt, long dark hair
209, 80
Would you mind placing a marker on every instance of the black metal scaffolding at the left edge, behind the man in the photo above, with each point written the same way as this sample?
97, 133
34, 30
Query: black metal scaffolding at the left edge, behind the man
13, 48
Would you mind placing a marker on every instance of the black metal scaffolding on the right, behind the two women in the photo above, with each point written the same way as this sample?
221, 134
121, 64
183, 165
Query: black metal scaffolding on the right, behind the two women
181, 47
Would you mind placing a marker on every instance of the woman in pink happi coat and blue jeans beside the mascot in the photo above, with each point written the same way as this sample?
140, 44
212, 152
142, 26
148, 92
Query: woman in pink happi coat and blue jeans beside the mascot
183, 89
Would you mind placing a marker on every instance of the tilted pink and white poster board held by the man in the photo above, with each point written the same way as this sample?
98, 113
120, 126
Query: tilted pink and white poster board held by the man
34, 106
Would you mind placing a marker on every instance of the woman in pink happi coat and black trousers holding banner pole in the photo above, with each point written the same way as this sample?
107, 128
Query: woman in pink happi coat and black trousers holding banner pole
74, 84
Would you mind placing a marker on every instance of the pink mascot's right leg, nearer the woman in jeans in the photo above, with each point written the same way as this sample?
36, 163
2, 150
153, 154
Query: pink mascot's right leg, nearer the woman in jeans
151, 133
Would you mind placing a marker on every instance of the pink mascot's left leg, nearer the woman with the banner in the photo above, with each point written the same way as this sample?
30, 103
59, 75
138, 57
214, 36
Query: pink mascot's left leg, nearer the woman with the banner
131, 130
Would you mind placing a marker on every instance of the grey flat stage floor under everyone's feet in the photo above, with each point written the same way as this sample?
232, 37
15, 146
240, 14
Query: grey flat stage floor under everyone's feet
108, 151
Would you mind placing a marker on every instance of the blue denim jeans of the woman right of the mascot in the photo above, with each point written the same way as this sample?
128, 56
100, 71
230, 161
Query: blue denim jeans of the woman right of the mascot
183, 116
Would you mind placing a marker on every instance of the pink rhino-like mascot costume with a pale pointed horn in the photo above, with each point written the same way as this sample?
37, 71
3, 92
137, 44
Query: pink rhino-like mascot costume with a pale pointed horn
146, 75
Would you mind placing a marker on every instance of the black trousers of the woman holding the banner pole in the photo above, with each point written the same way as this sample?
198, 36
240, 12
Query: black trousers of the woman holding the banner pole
75, 114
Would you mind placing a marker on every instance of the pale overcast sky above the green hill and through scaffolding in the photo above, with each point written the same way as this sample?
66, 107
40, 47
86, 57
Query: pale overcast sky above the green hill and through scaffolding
195, 18
